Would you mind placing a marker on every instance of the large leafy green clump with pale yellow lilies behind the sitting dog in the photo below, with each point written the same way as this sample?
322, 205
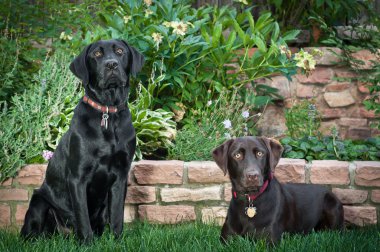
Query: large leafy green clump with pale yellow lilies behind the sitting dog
187, 46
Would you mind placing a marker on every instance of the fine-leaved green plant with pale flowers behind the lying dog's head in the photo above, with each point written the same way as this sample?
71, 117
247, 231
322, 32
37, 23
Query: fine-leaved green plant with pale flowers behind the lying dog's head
231, 115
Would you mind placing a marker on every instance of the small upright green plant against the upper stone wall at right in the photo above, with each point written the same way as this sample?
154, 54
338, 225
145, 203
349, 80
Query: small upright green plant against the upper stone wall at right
303, 120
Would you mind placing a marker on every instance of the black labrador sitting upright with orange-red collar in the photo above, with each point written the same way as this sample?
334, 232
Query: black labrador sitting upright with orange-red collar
86, 179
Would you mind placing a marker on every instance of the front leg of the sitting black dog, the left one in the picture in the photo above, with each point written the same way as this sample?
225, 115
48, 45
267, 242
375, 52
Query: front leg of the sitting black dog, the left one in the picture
78, 196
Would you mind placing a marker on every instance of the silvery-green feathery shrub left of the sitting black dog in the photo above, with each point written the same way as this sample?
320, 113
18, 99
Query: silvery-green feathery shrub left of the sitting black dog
25, 126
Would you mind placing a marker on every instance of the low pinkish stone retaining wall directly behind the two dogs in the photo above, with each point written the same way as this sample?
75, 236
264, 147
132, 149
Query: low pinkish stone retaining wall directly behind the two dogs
174, 191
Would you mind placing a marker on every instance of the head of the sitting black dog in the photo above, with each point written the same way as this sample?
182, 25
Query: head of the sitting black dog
104, 68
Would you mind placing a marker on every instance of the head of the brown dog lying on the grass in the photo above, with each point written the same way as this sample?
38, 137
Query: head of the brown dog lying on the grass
248, 160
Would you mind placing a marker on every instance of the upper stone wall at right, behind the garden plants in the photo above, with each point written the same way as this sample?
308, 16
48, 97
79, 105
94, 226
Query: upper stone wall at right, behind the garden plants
338, 98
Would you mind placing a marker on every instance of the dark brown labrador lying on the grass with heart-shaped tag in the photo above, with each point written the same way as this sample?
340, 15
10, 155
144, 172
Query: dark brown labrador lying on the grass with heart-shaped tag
261, 207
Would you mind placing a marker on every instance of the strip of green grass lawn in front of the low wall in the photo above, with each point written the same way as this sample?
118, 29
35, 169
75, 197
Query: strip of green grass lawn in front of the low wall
196, 237
